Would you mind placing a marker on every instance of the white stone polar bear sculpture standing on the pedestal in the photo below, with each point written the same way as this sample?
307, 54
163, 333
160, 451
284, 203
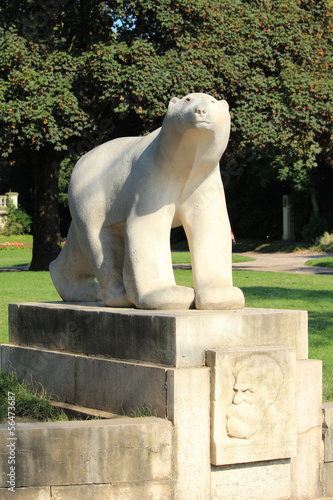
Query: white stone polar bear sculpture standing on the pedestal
127, 194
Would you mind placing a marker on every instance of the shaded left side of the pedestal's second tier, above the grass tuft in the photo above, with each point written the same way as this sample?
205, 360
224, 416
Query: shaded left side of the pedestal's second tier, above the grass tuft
98, 383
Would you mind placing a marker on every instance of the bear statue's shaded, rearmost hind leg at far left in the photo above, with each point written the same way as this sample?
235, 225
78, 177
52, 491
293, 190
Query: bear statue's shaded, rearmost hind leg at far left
72, 273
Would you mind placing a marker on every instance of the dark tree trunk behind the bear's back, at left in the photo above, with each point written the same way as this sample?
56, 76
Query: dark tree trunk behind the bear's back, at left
46, 228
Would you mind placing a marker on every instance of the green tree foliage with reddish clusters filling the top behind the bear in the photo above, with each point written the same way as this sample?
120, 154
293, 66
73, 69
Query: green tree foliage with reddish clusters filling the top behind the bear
74, 73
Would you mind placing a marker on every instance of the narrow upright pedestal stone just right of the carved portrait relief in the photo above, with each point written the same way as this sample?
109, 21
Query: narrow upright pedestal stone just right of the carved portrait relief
305, 467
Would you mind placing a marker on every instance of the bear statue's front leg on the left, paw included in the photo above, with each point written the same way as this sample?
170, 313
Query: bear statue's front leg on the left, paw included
148, 274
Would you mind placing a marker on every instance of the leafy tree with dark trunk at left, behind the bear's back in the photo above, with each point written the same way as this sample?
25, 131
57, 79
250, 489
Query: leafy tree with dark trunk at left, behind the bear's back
41, 112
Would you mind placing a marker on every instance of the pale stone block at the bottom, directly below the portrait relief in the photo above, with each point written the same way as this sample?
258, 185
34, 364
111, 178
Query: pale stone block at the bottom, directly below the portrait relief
260, 481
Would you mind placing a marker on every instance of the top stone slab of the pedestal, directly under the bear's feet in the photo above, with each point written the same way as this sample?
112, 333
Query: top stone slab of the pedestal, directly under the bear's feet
171, 338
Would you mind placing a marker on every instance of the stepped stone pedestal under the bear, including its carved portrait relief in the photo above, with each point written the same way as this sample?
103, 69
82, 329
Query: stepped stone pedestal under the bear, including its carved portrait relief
187, 366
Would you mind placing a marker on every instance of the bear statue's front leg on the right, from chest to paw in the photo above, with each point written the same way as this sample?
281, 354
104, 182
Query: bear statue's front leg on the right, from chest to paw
206, 223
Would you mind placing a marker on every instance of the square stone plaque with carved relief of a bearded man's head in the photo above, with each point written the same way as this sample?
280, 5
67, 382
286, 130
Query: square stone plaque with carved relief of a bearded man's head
252, 404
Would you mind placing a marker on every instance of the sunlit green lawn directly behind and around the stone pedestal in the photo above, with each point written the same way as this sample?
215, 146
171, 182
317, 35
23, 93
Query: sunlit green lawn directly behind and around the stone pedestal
313, 293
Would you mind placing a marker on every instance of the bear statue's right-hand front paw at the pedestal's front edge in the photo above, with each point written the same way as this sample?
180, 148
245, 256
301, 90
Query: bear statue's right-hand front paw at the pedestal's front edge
219, 297
